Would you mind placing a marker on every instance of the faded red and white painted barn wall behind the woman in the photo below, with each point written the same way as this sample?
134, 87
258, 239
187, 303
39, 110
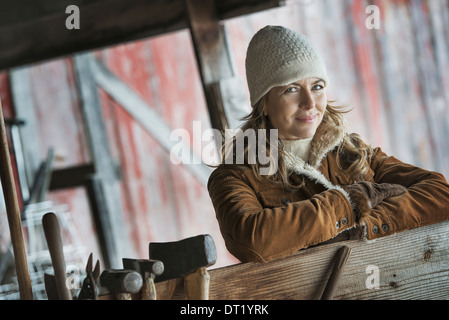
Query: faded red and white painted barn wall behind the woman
395, 79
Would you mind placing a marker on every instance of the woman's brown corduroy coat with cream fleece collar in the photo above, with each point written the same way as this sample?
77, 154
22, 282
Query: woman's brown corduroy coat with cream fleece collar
261, 221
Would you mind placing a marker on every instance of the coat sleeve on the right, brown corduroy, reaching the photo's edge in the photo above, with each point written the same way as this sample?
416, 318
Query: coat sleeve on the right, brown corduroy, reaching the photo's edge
425, 202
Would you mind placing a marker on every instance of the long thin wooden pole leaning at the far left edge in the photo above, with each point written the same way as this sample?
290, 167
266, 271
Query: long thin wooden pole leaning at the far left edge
13, 213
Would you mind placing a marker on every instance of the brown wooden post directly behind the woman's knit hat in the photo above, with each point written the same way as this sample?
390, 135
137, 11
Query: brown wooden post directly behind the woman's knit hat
215, 63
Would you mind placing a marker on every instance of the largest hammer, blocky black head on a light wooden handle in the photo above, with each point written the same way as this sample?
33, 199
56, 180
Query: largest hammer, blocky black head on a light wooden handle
187, 258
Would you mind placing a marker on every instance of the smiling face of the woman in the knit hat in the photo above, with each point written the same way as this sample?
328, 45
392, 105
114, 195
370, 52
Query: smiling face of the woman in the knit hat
297, 109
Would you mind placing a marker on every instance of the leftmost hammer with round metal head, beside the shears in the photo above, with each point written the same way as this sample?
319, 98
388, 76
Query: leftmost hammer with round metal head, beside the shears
122, 283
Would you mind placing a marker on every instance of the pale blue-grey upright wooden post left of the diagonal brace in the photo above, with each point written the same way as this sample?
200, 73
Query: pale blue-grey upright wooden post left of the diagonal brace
107, 189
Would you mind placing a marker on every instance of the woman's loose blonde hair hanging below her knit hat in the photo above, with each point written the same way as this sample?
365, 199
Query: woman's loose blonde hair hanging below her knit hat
352, 153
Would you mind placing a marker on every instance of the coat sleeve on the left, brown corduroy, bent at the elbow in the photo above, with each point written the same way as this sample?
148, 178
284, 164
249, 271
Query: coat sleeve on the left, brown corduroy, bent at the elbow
254, 233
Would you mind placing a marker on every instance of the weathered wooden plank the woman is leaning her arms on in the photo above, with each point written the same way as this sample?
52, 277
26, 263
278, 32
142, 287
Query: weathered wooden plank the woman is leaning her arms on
413, 264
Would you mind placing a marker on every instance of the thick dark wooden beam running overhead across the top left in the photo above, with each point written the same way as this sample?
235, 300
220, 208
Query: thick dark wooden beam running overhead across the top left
40, 25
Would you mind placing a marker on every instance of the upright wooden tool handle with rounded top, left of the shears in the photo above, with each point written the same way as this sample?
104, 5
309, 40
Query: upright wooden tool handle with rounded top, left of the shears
54, 243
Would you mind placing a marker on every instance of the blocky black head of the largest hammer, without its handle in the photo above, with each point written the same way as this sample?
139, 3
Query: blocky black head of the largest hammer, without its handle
184, 256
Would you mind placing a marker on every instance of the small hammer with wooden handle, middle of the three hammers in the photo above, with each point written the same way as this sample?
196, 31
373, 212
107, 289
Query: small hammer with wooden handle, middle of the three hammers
148, 269
